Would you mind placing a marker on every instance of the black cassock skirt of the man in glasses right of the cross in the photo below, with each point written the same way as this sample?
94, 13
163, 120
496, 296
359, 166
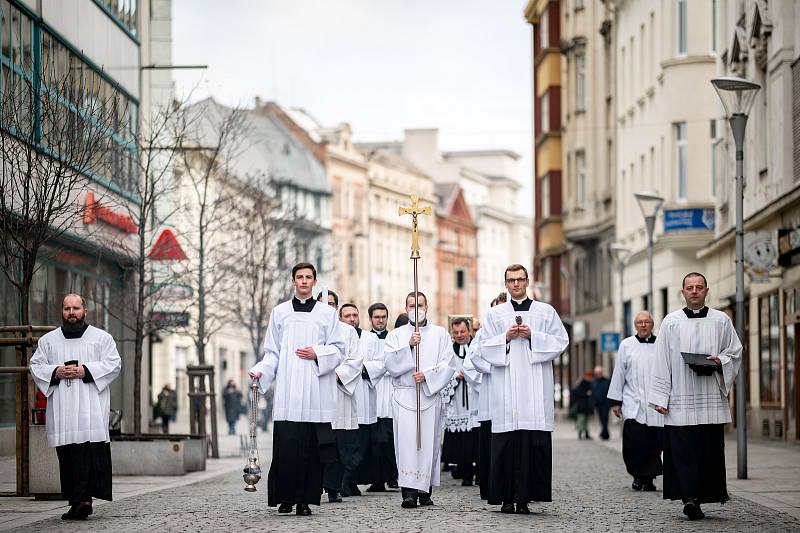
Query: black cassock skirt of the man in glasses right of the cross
521, 467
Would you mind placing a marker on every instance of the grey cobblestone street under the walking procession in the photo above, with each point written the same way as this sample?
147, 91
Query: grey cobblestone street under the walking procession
591, 492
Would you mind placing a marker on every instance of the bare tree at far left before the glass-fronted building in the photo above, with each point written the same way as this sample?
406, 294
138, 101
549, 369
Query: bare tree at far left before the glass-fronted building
56, 127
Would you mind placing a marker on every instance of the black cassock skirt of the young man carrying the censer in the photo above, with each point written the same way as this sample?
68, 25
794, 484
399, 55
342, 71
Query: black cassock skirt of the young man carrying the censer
299, 450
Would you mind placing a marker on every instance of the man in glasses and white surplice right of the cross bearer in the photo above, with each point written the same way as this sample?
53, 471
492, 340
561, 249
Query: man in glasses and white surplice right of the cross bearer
521, 340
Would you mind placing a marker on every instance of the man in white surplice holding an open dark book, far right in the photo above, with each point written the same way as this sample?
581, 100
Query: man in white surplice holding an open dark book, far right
693, 397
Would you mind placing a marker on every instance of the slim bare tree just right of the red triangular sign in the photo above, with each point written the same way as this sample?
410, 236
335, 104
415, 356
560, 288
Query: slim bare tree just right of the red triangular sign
207, 171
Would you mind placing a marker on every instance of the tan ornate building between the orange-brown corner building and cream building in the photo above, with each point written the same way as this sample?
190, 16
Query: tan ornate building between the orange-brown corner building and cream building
588, 156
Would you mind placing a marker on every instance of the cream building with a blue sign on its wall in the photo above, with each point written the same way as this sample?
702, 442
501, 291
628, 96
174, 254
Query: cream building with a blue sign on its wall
665, 111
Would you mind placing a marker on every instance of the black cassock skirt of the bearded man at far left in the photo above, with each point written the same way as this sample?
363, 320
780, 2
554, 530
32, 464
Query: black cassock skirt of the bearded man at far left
85, 471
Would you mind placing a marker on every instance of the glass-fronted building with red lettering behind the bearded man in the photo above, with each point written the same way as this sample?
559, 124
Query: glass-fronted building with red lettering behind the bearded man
95, 49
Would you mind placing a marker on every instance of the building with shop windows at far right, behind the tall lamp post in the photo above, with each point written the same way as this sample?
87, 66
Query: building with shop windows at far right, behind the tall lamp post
760, 41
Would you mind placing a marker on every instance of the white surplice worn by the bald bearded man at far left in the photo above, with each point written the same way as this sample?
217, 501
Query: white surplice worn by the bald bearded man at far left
77, 412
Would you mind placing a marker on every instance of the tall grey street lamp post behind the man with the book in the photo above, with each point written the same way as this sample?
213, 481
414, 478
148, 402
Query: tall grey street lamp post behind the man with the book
737, 97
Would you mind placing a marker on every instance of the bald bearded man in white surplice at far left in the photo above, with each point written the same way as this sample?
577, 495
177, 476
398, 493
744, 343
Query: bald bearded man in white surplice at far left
73, 366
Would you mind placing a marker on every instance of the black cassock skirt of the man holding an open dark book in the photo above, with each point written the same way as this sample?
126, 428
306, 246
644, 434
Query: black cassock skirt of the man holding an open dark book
694, 463
